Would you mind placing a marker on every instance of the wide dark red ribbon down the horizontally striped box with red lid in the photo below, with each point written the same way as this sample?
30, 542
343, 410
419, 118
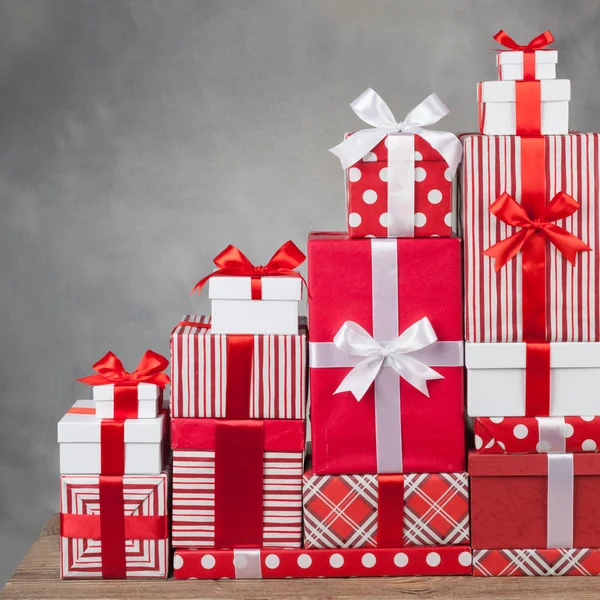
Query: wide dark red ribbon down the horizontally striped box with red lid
239, 455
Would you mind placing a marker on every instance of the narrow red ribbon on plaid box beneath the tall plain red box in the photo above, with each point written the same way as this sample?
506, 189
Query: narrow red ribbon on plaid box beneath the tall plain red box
390, 511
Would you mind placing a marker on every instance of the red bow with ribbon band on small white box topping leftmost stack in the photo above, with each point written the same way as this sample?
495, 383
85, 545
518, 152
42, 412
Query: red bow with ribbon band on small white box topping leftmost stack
110, 369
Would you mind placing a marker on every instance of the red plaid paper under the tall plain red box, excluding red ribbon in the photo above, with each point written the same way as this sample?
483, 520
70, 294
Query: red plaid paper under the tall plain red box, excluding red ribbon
341, 511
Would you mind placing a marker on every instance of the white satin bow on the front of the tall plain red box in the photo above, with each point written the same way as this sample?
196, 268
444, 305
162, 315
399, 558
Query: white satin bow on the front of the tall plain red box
353, 339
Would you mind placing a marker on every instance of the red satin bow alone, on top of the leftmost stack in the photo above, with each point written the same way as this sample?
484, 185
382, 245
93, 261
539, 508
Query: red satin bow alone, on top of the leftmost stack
110, 369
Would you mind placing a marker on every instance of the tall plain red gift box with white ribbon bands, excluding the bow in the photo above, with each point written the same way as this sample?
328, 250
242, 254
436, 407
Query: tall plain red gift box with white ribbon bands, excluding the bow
386, 286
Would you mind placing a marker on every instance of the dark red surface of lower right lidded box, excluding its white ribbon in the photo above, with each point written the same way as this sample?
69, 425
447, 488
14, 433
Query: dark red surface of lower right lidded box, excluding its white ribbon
509, 501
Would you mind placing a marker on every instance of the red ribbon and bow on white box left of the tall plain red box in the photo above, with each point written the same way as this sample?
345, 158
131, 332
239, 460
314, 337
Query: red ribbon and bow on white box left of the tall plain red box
233, 262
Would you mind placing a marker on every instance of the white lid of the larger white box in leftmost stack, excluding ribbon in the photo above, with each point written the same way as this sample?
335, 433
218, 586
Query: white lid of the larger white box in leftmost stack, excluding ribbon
85, 428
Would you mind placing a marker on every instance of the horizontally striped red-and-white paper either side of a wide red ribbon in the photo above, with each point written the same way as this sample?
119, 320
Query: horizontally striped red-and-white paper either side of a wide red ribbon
194, 499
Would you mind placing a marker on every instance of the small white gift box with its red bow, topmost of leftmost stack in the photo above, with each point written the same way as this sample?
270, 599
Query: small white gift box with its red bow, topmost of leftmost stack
121, 395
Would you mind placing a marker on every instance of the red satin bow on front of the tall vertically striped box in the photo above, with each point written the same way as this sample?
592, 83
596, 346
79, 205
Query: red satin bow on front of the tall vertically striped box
510, 212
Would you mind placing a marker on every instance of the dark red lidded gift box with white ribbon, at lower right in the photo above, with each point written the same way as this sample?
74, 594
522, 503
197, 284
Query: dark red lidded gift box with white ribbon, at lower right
535, 501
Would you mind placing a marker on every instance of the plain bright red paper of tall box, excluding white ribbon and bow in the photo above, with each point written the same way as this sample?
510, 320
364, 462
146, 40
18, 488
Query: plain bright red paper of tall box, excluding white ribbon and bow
343, 429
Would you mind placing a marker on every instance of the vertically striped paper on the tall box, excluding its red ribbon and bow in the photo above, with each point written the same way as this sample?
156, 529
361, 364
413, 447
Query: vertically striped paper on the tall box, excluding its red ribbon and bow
492, 165
